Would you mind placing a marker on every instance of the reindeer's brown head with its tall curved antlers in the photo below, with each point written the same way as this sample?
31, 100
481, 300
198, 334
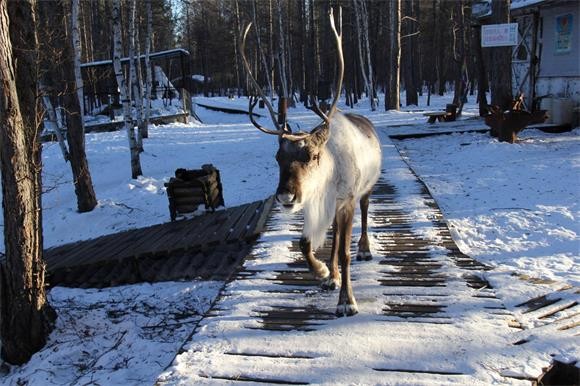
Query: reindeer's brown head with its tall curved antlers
300, 155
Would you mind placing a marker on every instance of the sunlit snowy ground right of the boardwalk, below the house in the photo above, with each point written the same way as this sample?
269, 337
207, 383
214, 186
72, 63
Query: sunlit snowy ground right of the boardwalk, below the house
515, 207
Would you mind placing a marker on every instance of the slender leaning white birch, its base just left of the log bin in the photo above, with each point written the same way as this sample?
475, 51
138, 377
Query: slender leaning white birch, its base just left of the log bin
124, 90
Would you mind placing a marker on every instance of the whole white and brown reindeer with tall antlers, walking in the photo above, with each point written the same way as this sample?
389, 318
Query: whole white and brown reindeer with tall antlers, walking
324, 173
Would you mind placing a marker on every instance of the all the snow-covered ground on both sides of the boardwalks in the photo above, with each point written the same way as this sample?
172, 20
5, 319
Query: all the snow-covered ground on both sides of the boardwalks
512, 206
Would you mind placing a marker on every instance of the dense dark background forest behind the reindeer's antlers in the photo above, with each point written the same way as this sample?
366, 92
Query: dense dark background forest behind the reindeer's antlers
434, 44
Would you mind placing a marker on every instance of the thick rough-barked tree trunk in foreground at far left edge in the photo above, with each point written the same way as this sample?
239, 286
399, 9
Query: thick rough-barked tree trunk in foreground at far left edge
26, 318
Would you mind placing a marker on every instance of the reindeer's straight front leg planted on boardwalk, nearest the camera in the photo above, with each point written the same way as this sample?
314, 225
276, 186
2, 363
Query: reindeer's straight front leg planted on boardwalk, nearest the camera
346, 302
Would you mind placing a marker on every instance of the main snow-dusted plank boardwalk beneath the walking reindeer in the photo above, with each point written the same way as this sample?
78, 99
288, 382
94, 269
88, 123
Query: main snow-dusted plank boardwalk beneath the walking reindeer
426, 315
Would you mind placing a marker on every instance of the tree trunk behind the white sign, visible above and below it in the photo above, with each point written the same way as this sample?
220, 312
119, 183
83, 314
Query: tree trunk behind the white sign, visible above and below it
501, 64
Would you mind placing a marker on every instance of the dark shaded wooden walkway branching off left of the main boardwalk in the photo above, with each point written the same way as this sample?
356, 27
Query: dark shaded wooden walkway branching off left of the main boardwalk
210, 246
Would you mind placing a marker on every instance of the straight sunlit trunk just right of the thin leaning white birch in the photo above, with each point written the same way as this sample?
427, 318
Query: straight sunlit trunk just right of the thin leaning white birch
392, 101
